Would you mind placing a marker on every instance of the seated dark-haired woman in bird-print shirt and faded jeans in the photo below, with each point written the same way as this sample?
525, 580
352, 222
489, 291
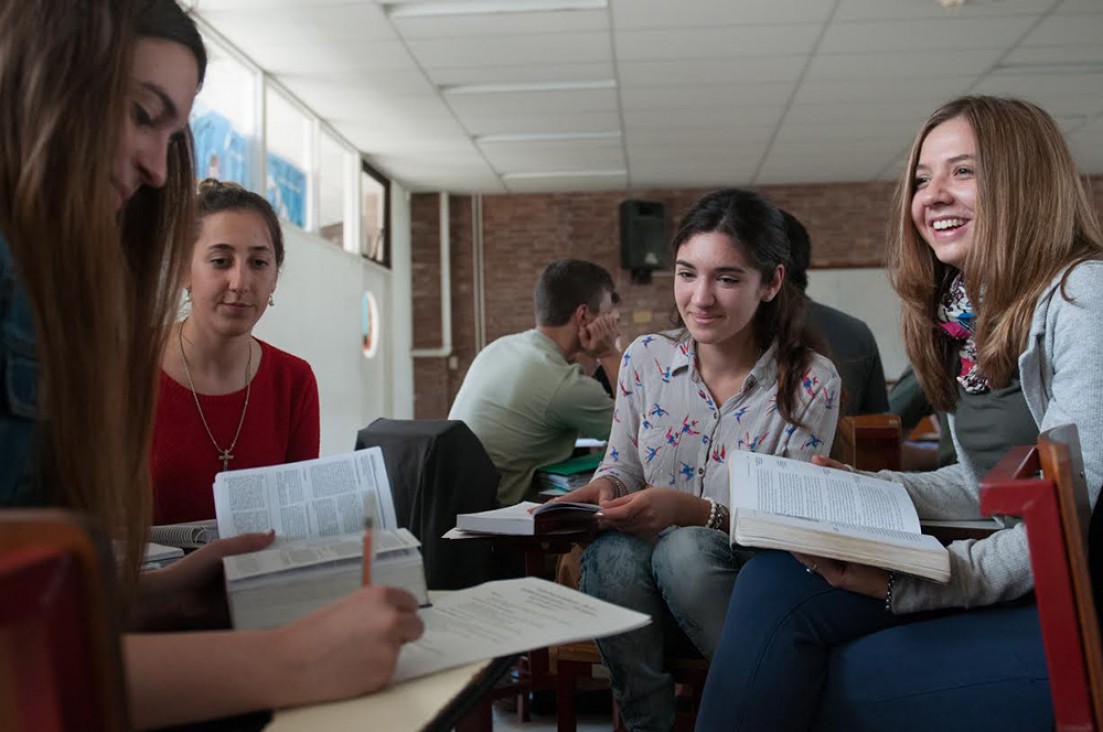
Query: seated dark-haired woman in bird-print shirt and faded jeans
738, 375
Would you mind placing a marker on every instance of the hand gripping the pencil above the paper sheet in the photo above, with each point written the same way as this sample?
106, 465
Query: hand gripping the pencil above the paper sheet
348, 649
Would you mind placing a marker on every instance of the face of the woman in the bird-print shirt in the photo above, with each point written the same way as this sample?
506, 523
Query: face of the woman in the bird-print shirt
719, 292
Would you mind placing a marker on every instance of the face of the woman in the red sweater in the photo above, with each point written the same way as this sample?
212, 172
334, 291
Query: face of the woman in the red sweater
233, 272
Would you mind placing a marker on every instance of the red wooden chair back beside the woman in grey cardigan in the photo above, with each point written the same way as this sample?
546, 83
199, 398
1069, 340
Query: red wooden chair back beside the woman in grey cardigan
1055, 508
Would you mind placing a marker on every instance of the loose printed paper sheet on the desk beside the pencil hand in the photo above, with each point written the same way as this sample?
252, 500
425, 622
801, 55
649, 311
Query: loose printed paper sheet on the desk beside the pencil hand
510, 617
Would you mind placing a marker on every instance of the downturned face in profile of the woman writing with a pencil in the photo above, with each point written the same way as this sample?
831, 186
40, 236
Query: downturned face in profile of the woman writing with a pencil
164, 83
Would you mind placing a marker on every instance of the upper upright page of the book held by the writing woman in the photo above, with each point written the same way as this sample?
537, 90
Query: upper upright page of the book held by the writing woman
323, 498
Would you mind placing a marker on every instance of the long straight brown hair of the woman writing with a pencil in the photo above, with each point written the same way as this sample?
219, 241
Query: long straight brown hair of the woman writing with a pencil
102, 285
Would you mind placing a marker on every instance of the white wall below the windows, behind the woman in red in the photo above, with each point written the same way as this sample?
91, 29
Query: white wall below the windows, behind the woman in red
318, 318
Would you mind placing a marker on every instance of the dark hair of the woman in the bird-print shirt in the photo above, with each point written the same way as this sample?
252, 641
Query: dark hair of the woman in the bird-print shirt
758, 230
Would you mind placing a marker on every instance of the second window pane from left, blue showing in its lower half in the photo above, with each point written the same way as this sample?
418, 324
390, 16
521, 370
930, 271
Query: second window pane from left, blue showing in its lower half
290, 135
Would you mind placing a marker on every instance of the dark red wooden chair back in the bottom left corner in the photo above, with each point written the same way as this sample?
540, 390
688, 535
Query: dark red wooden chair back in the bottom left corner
60, 661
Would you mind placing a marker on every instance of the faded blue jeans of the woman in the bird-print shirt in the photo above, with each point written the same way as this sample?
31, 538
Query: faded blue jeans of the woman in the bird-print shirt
683, 582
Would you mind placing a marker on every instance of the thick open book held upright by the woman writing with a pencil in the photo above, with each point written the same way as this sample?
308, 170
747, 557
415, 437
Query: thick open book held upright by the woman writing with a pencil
317, 509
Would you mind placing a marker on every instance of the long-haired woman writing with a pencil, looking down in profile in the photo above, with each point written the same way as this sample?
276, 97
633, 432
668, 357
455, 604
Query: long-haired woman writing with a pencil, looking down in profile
97, 222
